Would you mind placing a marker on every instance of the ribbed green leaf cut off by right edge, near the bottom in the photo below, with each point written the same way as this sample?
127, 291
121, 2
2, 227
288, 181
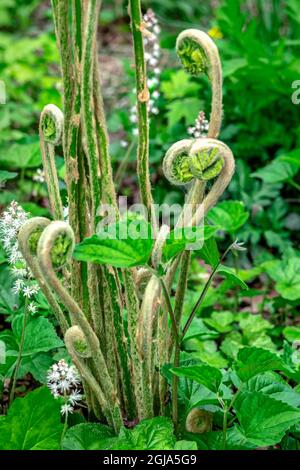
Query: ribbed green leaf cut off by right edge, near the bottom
273, 385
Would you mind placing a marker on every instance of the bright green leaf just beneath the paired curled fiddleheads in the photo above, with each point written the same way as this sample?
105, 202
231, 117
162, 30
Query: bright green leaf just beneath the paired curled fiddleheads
191, 238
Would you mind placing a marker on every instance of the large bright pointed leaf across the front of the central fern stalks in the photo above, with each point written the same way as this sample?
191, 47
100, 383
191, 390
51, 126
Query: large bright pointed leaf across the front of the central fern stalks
129, 245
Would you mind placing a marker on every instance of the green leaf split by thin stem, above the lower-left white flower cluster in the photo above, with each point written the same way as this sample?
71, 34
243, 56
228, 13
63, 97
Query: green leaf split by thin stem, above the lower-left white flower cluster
40, 335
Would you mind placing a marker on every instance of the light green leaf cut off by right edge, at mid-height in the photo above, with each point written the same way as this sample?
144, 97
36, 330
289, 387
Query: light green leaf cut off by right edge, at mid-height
286, 274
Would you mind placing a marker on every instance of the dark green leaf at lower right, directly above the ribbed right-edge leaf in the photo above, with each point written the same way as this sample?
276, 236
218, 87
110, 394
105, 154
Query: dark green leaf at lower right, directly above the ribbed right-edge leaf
253, 361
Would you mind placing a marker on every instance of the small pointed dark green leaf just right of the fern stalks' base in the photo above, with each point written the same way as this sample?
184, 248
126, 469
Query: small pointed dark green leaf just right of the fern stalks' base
206, 375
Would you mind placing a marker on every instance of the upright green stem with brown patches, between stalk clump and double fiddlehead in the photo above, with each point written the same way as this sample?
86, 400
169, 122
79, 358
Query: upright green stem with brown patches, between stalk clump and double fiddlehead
142, 94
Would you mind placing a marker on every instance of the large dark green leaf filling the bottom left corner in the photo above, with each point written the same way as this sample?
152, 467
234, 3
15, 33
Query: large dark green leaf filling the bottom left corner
32, 423
